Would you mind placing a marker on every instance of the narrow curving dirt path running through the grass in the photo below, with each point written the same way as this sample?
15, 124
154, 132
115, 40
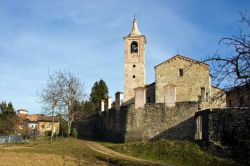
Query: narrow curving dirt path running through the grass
106, 151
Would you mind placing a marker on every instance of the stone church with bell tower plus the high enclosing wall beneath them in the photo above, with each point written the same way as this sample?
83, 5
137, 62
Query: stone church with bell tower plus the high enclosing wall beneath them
164, 109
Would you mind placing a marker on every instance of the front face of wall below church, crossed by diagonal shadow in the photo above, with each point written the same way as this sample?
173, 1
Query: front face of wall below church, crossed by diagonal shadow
158, 122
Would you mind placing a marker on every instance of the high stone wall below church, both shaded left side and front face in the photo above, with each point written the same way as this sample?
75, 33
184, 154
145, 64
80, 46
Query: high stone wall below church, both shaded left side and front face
155, 121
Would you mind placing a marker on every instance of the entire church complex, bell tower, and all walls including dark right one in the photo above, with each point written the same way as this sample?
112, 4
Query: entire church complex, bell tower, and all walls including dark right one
180, 104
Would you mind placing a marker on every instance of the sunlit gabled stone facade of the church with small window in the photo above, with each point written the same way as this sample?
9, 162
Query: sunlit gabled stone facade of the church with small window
188, 86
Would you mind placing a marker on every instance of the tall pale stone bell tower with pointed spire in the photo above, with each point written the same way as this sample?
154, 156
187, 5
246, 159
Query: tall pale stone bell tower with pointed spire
134, 66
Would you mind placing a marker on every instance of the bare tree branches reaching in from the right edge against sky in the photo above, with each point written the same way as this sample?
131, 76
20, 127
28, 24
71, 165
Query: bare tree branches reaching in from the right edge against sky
233, 70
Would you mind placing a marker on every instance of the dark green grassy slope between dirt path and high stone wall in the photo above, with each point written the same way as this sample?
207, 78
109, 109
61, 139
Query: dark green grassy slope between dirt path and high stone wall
171, 152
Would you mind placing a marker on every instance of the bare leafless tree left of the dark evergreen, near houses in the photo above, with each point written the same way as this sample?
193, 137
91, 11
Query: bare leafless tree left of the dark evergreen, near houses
60, 94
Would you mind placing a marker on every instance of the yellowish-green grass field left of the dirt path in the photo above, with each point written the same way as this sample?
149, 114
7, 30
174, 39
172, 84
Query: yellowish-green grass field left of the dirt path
68, 152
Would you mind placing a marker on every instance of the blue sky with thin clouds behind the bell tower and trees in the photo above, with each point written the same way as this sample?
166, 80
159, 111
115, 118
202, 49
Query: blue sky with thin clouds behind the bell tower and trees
86, 38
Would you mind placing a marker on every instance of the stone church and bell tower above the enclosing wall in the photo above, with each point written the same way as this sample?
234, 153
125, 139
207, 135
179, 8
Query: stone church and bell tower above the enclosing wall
177, 79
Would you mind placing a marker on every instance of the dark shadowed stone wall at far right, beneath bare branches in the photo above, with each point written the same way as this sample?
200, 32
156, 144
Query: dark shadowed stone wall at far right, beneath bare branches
229, 127
